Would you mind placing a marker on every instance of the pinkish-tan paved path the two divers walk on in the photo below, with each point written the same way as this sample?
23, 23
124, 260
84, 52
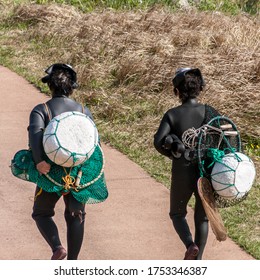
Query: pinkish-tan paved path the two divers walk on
132, 224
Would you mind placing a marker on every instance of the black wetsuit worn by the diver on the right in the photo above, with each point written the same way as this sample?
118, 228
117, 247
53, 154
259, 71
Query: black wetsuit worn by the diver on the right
185, 172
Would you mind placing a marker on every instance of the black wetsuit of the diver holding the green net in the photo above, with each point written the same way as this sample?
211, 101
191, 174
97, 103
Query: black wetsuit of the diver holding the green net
43, 208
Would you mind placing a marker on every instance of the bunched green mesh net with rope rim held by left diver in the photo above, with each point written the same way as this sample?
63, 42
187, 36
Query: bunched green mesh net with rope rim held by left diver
85, 181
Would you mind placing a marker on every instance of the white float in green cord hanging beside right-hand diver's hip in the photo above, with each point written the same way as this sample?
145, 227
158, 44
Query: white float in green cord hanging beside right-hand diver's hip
234, 176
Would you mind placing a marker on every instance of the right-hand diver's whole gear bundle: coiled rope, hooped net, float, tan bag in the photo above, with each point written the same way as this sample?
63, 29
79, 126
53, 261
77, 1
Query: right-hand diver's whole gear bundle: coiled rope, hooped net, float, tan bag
222, 166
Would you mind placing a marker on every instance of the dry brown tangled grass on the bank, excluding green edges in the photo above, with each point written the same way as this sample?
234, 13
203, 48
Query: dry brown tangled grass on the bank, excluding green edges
125, 61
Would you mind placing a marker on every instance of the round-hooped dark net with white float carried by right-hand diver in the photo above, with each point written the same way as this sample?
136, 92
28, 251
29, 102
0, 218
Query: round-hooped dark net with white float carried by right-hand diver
218, 141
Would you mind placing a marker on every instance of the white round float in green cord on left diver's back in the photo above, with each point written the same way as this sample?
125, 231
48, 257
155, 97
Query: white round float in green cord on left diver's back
70, 139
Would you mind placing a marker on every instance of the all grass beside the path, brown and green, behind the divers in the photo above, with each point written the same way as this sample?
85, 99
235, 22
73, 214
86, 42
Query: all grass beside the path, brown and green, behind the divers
125, 60
